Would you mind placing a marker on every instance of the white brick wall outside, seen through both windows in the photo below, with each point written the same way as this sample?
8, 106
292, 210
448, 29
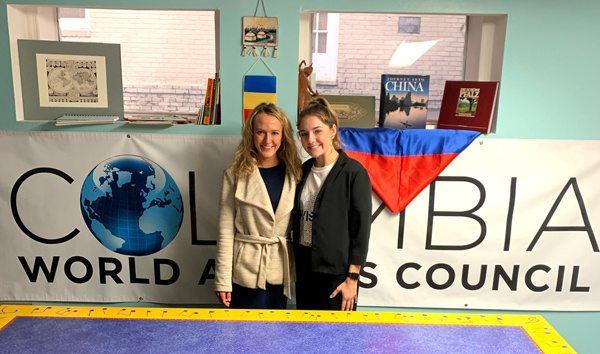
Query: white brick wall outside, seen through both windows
167, 56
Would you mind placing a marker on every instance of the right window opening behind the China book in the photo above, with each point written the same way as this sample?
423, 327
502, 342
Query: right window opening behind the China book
445, 47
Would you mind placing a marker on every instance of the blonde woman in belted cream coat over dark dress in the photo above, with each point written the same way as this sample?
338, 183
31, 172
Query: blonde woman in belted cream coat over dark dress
255, 264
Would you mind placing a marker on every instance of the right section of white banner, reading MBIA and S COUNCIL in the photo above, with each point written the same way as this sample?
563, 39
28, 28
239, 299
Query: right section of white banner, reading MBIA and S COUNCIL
510, 224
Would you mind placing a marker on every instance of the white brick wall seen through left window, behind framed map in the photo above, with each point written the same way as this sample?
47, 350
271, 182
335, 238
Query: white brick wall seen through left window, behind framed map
166, 56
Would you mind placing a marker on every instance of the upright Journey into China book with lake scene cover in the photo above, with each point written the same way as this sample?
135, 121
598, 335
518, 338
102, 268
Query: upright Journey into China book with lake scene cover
403, 101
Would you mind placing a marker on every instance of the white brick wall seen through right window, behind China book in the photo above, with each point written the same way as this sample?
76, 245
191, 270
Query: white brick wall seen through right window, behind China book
368, 41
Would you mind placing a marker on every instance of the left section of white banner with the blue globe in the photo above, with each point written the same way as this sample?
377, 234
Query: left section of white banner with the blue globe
48, 251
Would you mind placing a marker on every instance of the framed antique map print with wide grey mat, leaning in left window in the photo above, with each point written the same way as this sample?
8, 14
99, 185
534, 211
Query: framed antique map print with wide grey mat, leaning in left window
73, 78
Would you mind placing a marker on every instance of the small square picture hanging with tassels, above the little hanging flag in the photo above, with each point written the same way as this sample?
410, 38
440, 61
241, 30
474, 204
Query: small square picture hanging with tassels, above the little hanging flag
259, 32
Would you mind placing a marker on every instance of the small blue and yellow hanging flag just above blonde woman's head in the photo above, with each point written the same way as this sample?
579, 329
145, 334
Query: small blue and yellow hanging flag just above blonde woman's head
258, 89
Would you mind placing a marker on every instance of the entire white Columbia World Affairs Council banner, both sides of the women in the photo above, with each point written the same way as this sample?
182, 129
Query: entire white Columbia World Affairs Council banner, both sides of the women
508, 225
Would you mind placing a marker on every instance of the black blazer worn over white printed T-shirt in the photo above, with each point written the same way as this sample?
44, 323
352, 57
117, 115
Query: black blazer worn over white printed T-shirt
341, 216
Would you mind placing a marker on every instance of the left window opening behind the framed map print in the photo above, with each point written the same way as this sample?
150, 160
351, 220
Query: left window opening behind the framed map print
167, 56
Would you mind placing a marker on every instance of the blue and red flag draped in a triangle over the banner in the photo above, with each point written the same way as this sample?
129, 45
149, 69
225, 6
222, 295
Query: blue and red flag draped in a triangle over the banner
401, 163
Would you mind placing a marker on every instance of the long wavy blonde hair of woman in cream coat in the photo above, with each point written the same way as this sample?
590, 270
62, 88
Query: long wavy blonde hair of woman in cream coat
246, 156
